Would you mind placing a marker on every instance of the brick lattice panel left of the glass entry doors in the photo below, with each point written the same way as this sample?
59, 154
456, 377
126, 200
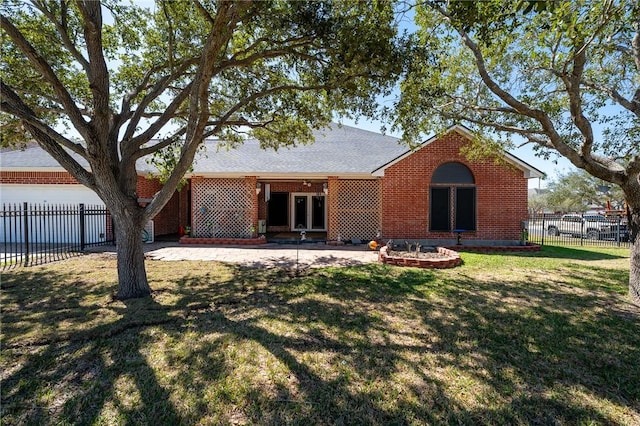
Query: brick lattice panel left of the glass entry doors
222, 208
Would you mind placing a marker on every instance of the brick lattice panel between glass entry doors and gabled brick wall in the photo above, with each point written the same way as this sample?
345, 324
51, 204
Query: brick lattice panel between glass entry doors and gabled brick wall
358, 210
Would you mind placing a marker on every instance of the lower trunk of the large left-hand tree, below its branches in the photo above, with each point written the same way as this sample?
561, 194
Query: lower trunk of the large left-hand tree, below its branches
132, 276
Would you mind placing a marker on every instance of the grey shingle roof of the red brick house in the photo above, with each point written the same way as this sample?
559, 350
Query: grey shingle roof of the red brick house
337, 151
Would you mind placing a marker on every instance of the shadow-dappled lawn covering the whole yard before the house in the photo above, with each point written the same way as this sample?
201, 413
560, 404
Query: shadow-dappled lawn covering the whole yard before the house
546, 338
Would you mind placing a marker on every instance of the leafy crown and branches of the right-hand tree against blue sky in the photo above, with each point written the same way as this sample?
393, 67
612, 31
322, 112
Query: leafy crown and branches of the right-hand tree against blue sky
559, 74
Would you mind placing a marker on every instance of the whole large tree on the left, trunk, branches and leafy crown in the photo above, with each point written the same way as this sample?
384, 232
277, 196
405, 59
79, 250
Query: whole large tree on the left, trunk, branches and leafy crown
131, 82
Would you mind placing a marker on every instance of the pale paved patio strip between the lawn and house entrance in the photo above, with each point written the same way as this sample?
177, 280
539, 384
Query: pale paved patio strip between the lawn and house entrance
261, 256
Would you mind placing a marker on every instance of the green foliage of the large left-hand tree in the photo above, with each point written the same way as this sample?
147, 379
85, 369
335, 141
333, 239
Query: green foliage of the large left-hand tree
277, 63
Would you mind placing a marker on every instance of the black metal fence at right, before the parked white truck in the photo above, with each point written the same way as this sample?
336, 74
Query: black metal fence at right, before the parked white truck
578, 230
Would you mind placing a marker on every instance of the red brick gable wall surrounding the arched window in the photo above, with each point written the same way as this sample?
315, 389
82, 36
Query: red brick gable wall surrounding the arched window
501, 194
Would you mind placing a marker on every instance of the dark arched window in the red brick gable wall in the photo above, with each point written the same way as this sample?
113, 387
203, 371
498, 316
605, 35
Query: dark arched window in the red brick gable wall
453, 198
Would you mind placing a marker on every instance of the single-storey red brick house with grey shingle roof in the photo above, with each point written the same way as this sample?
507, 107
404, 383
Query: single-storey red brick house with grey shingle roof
349, 184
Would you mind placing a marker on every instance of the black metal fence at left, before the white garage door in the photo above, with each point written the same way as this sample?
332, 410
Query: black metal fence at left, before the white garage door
37, 234
